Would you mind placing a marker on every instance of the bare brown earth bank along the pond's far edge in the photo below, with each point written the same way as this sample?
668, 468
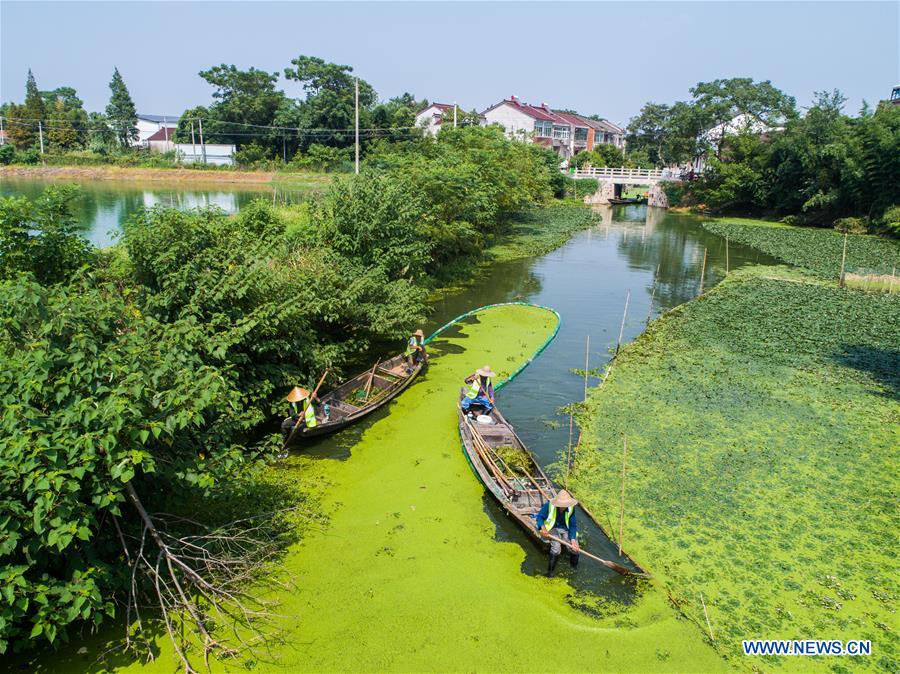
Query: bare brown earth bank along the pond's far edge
172, 175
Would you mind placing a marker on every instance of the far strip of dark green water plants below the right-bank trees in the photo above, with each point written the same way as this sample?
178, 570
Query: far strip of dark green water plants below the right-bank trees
818, 250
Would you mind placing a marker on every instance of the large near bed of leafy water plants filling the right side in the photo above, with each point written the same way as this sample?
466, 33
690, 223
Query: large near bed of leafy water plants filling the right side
762, 427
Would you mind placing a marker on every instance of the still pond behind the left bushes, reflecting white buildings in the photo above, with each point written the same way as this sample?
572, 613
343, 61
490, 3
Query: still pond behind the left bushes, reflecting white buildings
104, 205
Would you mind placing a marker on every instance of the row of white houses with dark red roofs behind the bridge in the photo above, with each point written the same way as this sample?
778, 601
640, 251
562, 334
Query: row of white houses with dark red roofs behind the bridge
564, 132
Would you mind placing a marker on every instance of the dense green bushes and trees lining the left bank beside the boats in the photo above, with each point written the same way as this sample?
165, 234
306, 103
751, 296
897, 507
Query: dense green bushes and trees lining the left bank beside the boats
178, 343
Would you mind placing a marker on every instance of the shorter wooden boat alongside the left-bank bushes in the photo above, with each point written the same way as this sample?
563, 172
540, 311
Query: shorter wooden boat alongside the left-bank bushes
357, 397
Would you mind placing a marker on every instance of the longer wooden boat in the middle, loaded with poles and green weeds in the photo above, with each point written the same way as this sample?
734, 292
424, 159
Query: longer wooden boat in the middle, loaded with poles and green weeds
509, 471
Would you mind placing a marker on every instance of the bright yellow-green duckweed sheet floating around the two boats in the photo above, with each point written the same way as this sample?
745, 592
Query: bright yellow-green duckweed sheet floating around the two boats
409, 575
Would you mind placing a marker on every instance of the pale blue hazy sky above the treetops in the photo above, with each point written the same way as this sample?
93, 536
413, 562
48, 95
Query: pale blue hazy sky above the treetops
607, 58
